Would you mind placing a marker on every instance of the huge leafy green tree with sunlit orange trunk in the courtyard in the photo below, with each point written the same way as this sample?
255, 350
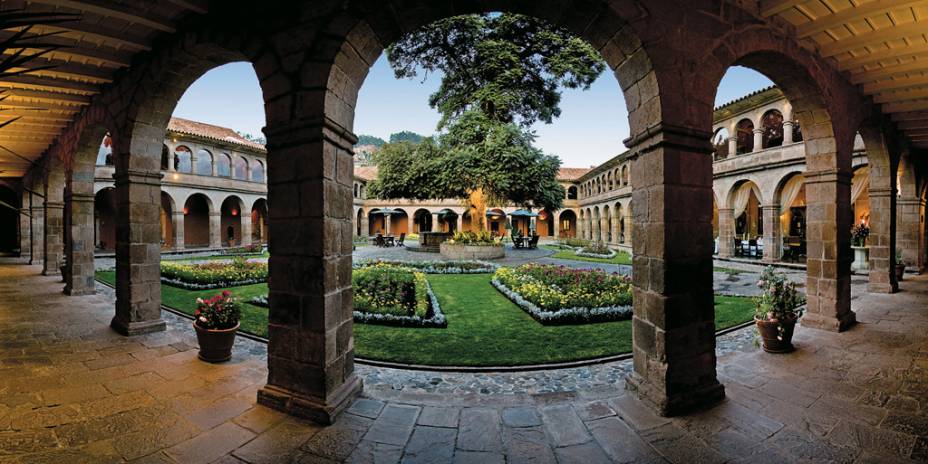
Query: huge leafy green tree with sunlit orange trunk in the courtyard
501, 73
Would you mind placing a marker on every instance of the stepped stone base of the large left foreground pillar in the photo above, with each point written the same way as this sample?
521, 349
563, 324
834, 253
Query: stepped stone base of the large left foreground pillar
314, 409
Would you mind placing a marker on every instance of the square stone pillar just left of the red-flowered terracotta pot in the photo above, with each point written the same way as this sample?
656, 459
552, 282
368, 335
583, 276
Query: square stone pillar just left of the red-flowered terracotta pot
138, 252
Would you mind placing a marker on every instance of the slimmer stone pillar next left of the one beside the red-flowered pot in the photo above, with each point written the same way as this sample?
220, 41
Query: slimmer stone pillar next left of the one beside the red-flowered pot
79, 278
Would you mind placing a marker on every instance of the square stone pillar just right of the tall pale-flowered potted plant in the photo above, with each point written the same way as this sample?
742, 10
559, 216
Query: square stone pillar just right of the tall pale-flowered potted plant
828, 265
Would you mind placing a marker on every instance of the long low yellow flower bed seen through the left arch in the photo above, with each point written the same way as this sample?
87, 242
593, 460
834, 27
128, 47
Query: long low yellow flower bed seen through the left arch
207, 276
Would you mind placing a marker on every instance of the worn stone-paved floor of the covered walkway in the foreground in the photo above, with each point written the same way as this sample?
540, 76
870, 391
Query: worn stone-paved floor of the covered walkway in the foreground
71, 390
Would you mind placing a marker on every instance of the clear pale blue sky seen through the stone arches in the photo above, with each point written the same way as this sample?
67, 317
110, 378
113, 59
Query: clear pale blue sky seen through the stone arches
591, 128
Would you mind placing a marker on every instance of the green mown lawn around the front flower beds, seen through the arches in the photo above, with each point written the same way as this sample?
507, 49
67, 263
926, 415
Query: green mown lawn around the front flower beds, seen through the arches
484, 327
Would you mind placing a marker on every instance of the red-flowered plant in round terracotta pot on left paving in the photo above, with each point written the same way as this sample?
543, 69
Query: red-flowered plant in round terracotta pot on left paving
216, 320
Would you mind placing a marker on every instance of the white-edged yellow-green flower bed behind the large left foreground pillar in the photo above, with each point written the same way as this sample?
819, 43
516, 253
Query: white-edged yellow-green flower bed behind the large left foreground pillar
390, 295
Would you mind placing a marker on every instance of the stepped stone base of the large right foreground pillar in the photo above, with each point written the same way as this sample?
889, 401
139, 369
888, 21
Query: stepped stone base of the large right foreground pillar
695, 398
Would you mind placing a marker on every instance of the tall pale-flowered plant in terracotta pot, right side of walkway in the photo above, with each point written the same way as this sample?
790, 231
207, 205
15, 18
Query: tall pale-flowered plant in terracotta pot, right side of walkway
777, 310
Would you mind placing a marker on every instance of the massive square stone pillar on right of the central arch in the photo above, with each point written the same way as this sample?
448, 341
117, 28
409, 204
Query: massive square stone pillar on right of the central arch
673, 327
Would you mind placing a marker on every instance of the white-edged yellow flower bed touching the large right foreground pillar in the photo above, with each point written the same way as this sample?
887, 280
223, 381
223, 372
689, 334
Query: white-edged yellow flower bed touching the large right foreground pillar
560, 295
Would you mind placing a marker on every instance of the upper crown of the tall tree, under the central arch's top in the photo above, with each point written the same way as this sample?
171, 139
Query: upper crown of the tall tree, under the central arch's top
507, 65
